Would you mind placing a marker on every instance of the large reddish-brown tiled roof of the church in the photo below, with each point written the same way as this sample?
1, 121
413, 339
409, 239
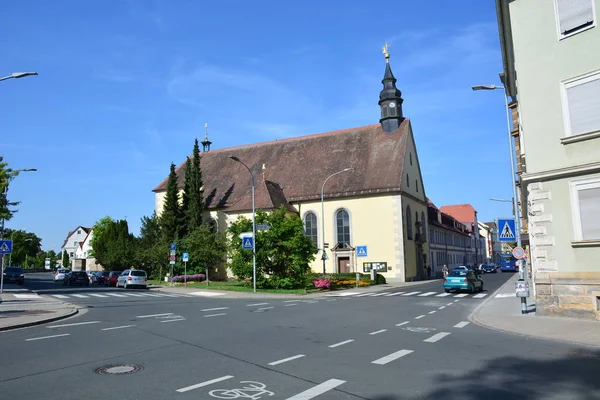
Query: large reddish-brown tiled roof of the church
297, 167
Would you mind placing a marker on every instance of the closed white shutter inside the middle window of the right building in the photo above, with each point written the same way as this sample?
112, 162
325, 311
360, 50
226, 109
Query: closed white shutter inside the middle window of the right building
584, 106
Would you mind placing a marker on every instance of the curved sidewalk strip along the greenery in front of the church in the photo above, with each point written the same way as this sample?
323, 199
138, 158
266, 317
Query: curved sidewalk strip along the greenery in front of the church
391, 284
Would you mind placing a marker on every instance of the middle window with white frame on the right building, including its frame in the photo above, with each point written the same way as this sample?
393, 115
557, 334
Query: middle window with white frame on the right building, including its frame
582, 102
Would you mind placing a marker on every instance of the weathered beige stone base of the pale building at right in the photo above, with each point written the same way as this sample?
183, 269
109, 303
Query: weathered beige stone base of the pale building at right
568, 294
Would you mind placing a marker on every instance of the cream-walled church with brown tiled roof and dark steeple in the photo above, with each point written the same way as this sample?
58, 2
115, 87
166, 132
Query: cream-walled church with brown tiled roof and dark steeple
359, 191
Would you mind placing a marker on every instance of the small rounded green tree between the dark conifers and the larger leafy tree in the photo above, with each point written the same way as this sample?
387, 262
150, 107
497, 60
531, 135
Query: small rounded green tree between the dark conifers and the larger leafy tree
207, 249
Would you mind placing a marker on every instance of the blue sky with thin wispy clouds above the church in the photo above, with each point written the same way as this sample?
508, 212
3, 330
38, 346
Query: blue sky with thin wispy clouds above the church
125, 86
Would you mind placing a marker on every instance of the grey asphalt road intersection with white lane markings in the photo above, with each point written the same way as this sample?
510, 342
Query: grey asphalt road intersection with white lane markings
389, 346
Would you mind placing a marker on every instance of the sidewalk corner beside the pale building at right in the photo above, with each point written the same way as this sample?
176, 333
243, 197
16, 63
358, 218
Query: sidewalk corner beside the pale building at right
502, 311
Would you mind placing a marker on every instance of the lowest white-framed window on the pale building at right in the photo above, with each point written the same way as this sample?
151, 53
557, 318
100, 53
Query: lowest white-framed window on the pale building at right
585, 203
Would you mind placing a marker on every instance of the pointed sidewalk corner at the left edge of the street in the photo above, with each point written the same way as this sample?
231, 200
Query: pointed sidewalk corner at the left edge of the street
20, 308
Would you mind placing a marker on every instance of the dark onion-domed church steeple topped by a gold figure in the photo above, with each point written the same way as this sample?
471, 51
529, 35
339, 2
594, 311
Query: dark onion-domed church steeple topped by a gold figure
390, 98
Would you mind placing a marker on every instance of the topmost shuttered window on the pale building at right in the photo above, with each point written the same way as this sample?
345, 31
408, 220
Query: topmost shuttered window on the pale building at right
574, 16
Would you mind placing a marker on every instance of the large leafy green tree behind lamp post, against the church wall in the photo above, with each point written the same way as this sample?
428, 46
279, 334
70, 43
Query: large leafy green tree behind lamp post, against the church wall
283, 251
